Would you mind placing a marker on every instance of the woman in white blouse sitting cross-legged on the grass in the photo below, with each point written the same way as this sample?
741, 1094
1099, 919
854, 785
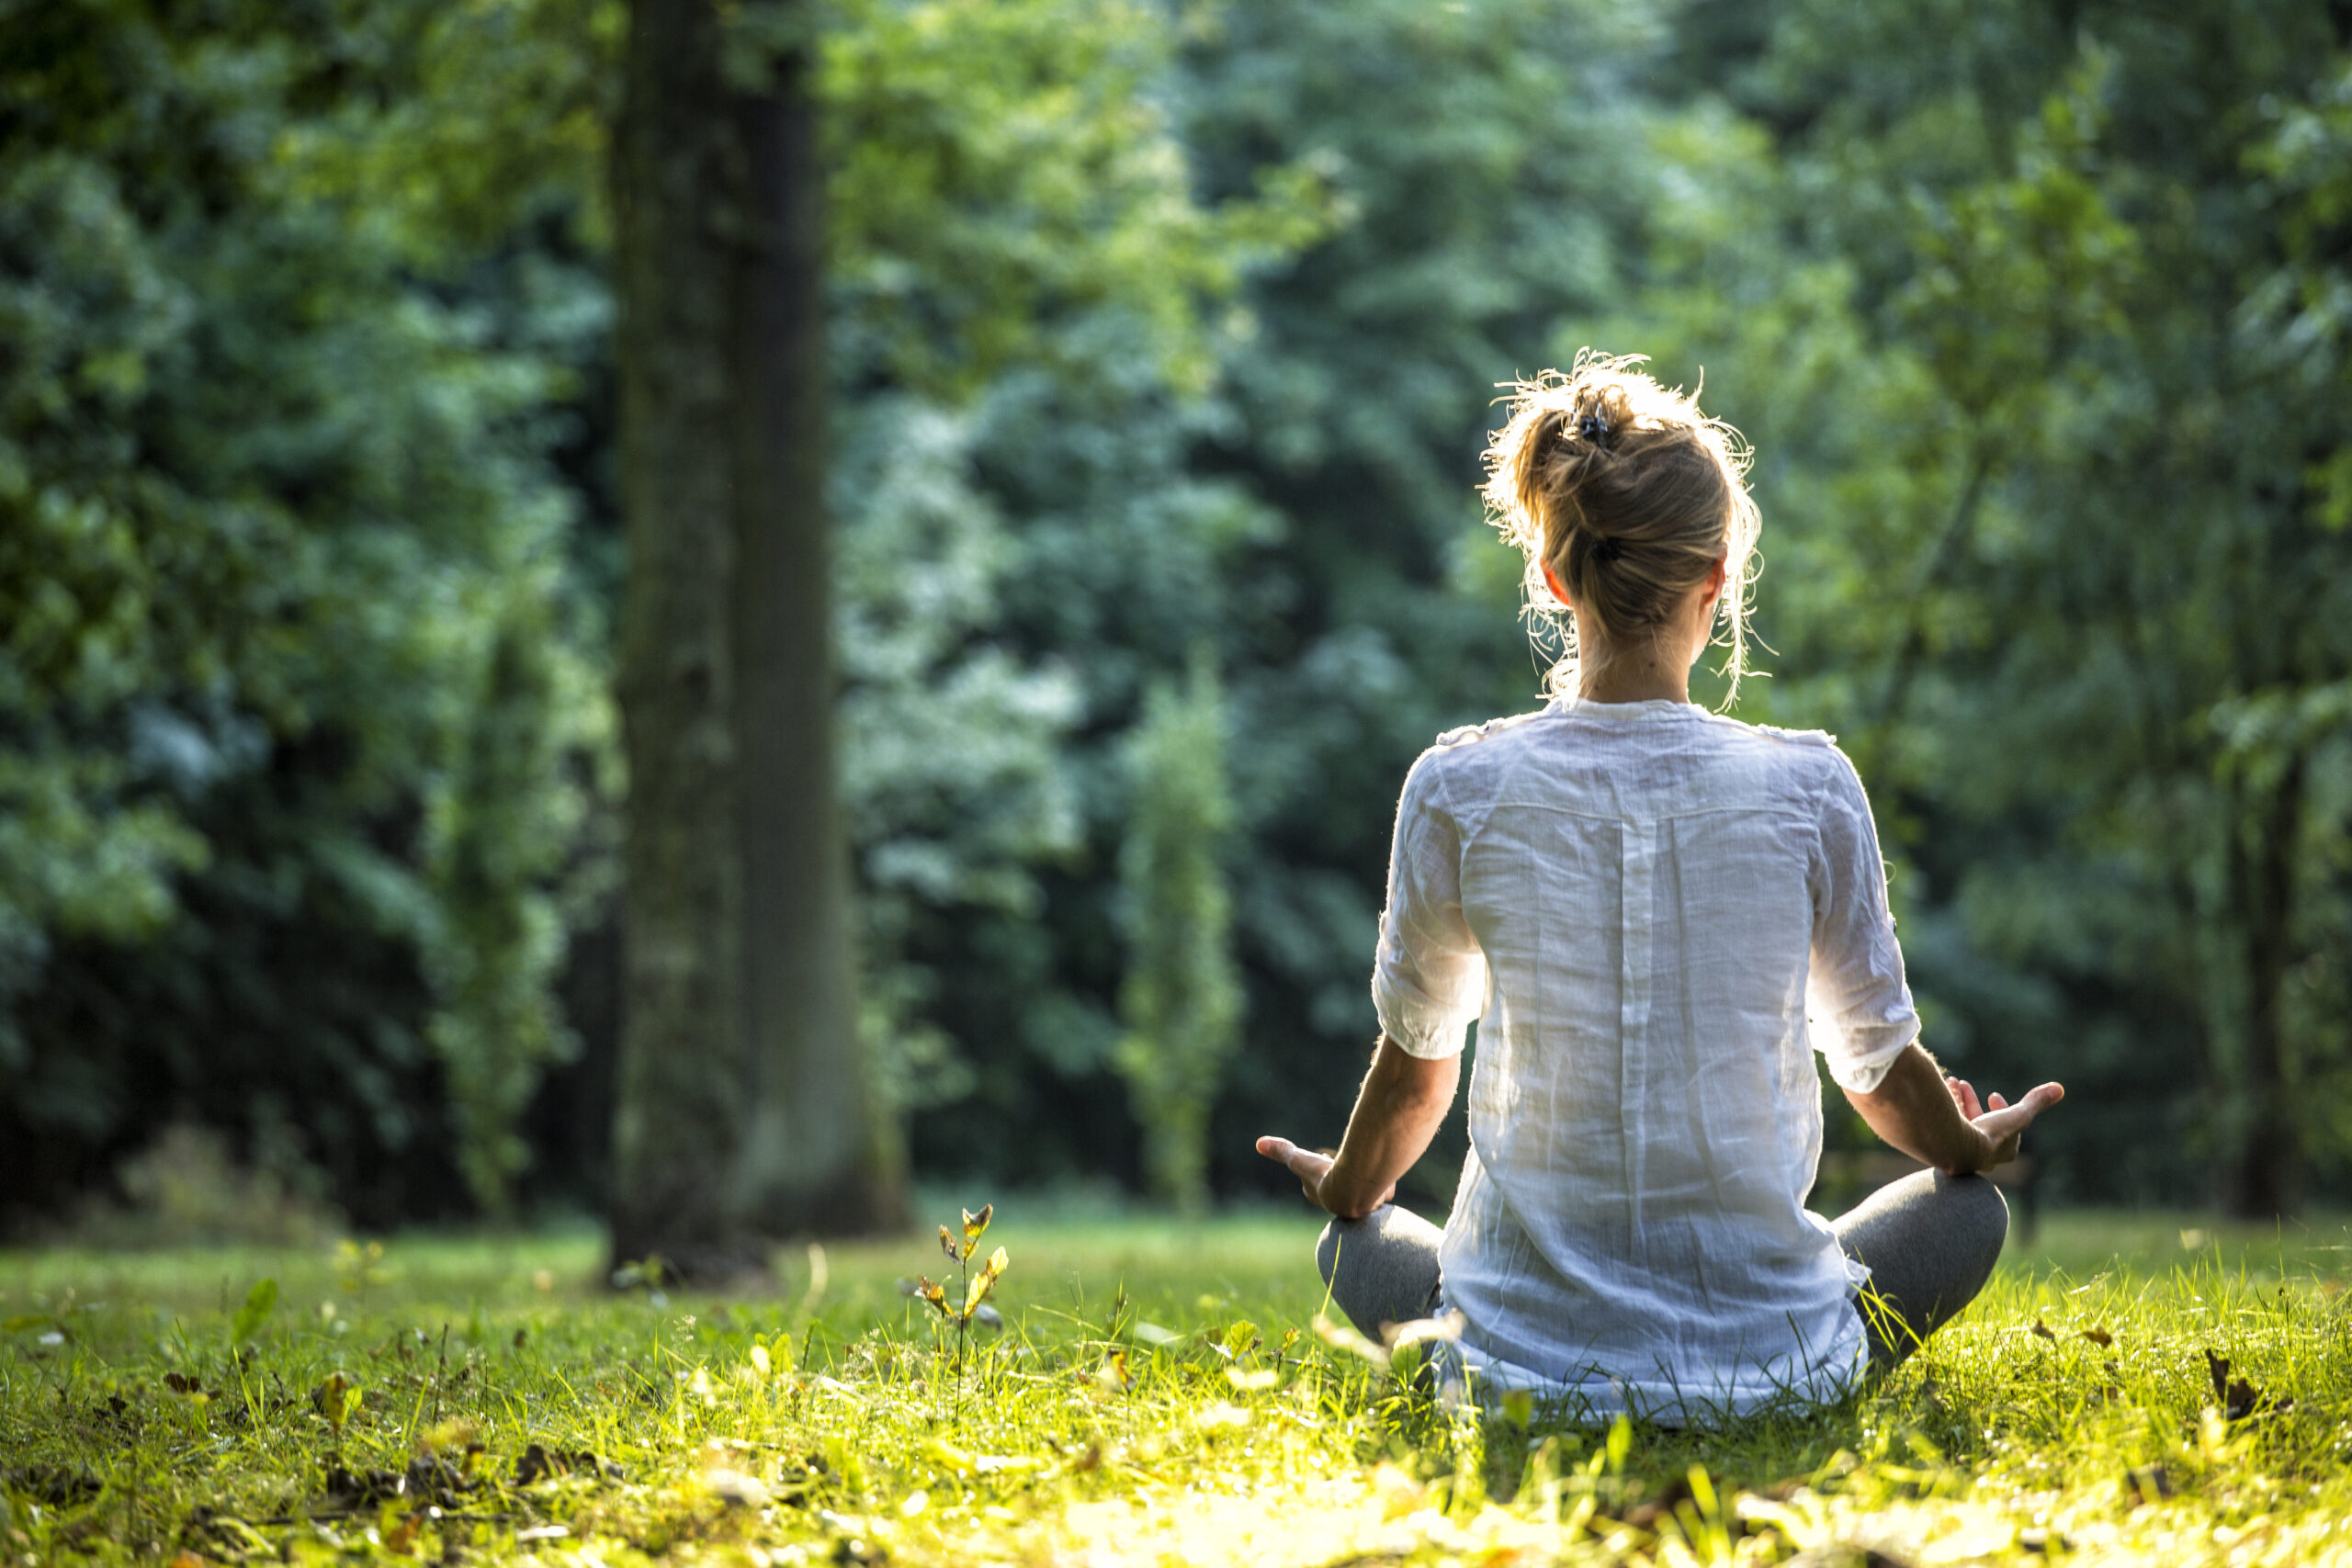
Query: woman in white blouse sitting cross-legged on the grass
1655, 916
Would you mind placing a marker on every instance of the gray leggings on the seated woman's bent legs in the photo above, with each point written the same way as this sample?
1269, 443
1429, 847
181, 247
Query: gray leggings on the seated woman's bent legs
1930, 1242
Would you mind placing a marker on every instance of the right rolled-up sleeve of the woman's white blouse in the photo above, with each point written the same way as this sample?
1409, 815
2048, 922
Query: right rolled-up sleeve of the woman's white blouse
1859, 1007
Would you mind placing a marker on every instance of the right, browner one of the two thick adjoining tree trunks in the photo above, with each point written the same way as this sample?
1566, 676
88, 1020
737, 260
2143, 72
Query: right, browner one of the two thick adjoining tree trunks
817, 1153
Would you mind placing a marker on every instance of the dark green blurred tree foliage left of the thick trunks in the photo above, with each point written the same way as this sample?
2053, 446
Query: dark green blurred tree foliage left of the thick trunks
274, 488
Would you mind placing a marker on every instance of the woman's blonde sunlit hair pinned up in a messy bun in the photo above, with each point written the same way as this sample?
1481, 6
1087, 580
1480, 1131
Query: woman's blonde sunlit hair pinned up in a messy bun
1631, 495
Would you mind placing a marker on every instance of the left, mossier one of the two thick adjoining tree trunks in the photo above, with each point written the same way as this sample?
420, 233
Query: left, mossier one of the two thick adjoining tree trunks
676, 1125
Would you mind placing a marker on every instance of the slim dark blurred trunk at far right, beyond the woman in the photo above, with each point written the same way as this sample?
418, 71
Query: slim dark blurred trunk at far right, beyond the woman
2264, 1174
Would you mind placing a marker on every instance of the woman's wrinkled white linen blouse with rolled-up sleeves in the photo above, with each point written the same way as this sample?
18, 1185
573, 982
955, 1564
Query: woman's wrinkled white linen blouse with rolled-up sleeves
1655, 916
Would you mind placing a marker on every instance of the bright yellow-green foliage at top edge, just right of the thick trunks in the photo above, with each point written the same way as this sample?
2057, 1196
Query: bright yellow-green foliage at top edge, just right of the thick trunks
1008, 173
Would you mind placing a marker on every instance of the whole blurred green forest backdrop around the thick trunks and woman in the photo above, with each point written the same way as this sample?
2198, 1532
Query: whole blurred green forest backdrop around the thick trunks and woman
1163, 351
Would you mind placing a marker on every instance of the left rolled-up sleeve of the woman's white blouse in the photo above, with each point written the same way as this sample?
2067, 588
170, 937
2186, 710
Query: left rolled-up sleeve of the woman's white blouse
1431, 977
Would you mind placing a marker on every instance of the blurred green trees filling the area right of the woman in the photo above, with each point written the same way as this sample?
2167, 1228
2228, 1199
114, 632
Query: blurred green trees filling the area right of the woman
2057, 549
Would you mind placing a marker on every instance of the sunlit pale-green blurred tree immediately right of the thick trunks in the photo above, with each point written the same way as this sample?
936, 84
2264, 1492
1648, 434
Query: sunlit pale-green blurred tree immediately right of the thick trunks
1029, 311
